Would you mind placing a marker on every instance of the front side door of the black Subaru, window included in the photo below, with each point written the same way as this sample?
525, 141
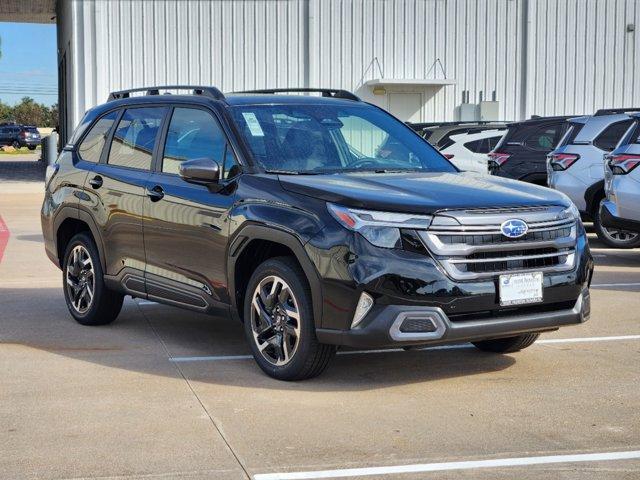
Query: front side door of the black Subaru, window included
186, 225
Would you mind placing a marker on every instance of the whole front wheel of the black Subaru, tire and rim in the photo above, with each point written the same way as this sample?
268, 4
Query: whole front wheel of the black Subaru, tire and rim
279, 324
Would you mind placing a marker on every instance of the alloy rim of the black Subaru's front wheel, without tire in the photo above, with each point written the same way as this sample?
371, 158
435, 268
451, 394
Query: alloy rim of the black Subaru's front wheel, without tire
275, 320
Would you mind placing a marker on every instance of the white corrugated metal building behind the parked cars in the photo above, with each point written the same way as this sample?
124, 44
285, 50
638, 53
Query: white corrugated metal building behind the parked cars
420, 59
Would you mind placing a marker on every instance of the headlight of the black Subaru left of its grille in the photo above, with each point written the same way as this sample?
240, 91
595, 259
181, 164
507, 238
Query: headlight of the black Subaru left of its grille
382, 229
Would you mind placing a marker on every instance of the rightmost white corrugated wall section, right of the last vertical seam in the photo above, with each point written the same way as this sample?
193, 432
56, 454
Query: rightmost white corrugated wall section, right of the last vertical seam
581, 56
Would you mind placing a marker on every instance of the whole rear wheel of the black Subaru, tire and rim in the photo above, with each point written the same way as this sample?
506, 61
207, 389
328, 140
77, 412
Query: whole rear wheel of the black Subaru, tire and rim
89, 301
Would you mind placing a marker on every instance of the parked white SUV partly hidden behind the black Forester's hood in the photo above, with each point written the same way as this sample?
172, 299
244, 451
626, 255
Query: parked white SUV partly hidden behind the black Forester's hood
469, 150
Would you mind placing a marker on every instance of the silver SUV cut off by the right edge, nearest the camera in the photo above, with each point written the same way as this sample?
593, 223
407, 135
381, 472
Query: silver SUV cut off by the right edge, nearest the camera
621, 208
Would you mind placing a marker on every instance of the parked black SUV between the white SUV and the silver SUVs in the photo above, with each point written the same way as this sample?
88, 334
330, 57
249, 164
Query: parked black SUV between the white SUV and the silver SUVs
522, 152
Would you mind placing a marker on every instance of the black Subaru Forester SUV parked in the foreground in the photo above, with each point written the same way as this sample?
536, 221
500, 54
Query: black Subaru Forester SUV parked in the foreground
317, 221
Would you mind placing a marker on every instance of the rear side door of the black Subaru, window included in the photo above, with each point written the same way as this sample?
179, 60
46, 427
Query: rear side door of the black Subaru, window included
117, 186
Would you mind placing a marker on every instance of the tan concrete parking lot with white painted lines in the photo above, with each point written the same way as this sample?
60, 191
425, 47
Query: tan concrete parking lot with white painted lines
163, 393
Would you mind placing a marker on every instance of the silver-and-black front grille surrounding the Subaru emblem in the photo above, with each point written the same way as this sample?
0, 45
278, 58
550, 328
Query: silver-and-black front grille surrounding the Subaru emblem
469, 244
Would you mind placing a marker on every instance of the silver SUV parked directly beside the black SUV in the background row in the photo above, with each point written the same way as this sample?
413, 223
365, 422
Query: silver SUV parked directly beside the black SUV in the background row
576, 168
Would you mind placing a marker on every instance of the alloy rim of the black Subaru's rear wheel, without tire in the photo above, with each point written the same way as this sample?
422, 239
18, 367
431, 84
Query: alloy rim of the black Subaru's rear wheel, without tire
80, 279
